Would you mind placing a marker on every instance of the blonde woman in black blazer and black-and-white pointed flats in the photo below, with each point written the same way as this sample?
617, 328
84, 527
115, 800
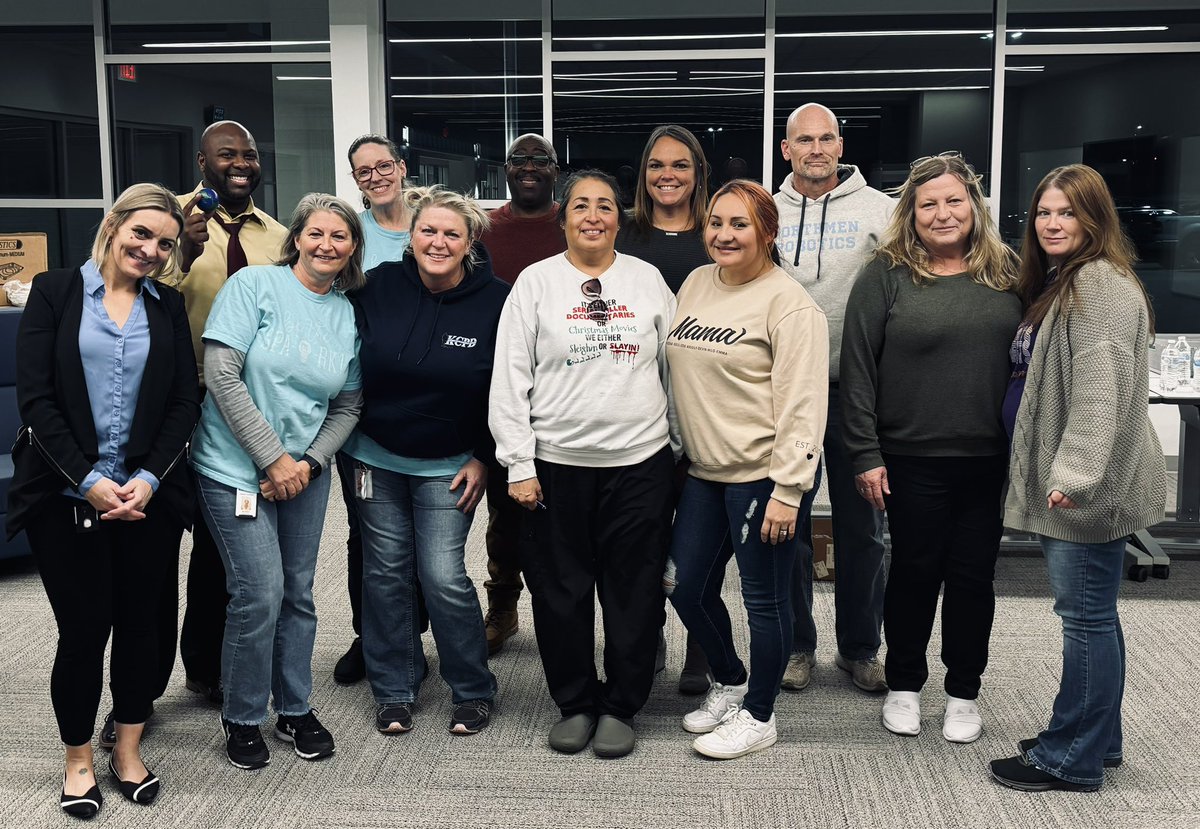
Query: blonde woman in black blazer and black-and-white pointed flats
109, 399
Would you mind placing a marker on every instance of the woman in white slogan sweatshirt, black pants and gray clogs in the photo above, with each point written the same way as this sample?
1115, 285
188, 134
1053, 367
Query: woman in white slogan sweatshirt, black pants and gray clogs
579, 411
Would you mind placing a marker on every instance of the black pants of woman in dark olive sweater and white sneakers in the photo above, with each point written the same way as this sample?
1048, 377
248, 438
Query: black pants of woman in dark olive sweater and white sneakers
945, 516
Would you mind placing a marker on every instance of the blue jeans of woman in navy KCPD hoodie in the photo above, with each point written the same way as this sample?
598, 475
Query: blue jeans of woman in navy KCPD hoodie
411, 528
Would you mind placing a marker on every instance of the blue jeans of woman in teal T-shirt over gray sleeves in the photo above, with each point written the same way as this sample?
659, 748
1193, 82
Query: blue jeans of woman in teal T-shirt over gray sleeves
272, 621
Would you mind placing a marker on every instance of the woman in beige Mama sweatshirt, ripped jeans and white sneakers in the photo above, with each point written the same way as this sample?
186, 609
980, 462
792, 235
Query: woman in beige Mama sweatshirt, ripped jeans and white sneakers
749, 356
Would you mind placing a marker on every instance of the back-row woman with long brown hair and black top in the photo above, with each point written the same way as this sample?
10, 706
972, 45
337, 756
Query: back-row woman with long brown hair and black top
665, 229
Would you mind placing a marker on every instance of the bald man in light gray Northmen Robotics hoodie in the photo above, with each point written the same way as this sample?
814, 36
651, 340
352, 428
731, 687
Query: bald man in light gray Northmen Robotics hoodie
831, 223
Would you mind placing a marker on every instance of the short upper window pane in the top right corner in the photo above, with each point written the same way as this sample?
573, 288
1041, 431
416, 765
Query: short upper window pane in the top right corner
1030, 22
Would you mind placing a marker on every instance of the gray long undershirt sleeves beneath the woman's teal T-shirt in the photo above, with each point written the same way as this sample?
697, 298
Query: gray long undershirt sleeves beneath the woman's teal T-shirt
223, 375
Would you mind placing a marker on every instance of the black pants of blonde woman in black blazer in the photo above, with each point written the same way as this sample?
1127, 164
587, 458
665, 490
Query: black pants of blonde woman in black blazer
110, 580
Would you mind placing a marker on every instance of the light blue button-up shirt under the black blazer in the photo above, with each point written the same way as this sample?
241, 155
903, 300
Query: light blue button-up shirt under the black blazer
113, 364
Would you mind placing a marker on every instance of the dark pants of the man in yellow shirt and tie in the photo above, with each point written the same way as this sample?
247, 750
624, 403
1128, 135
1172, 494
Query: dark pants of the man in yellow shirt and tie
203, 632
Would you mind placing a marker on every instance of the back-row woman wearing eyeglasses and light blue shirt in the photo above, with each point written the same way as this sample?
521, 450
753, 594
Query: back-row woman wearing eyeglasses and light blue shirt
379, 169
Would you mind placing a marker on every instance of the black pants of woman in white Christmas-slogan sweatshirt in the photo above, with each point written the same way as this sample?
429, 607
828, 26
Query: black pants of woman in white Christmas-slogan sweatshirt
604, 532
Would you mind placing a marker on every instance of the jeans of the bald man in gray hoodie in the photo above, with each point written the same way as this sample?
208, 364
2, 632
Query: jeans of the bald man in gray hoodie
860, 575
